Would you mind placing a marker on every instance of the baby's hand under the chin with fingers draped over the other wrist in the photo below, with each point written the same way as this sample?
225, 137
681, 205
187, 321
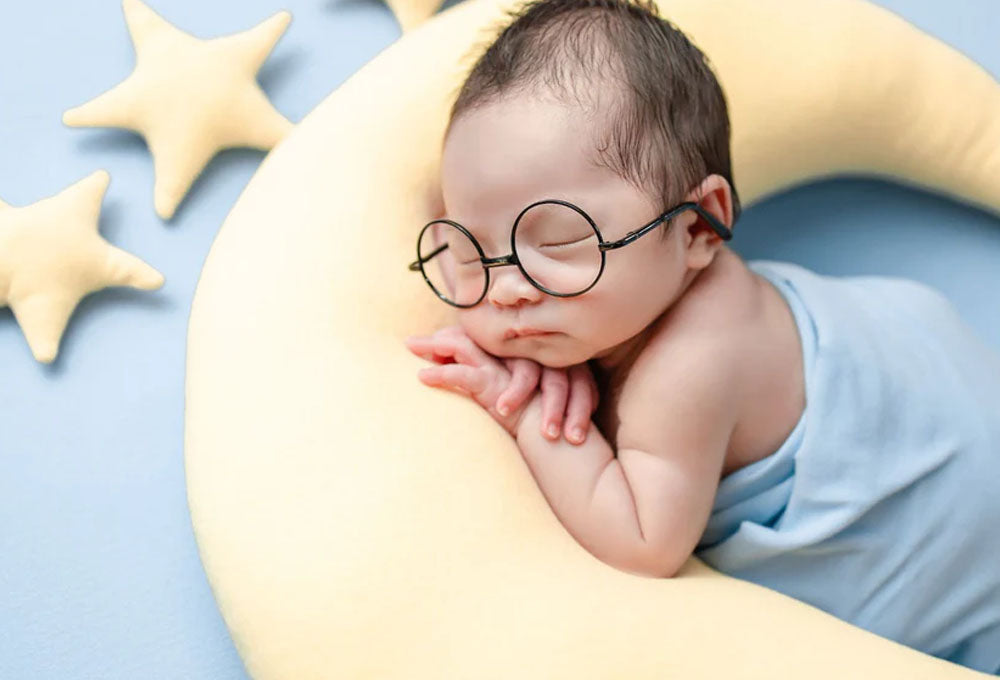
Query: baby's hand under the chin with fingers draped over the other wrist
565, 391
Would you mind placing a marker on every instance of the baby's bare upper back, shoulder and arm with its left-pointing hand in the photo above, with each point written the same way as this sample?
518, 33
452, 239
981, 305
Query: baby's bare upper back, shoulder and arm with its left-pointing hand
712, 385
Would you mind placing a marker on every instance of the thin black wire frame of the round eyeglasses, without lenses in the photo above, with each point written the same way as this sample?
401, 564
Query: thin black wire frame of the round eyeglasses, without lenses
511, 259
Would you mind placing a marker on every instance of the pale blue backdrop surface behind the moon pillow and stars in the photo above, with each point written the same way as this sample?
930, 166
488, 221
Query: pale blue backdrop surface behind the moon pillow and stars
99, 571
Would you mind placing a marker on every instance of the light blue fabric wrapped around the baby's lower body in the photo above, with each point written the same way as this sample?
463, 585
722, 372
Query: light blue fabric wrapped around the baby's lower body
882, 506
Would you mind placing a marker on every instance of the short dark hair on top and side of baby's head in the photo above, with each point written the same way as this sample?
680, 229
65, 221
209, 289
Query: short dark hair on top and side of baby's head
665, 124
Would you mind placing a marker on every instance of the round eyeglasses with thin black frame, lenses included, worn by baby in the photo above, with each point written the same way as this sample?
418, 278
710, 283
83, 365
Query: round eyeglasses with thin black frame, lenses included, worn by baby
554, 243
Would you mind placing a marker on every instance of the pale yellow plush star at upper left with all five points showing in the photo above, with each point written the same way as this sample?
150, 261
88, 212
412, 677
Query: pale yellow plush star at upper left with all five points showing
189, 98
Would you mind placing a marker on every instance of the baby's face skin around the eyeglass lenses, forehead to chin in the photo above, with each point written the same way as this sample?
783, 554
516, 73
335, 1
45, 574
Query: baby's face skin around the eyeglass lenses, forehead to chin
499, 159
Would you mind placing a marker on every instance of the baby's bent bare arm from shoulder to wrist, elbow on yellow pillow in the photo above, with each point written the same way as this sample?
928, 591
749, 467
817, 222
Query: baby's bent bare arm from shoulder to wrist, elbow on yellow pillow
645, 510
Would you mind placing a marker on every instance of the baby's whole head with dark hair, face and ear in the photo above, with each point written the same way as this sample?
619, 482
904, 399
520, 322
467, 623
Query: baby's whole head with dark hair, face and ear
602, 104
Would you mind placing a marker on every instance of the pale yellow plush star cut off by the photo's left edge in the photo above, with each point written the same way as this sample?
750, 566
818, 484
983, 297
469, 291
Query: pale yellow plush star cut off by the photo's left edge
51, 256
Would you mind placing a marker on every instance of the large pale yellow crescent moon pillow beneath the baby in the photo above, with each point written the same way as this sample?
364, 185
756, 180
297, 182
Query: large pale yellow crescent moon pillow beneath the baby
354, 523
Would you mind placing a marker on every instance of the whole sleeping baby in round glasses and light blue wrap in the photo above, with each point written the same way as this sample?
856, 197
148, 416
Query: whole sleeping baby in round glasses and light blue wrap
834, 439
